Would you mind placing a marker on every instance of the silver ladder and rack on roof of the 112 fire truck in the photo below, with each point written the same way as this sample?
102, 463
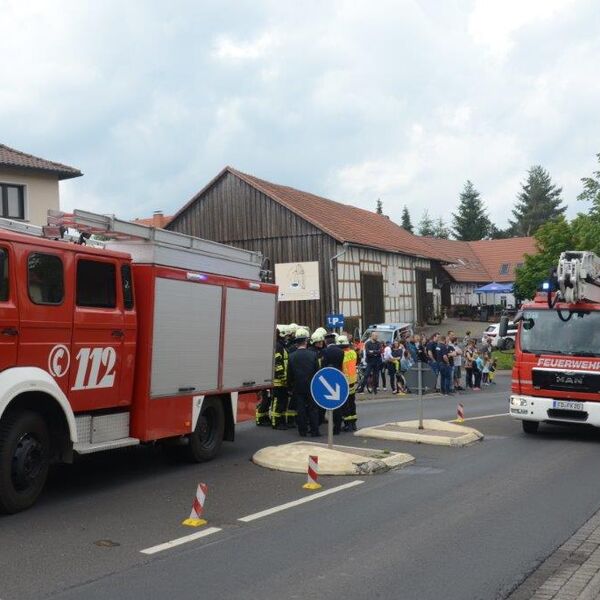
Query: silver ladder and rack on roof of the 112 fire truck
149, 245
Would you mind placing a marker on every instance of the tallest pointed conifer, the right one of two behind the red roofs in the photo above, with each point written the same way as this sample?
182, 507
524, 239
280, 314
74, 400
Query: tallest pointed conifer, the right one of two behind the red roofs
538, 202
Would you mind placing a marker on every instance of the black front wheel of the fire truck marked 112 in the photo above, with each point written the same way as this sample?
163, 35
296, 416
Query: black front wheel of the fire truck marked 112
24, 460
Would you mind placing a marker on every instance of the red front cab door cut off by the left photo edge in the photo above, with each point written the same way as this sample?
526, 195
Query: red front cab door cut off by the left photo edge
9, 314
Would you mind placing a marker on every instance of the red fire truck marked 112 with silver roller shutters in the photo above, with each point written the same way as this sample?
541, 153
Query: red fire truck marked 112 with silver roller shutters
157, 336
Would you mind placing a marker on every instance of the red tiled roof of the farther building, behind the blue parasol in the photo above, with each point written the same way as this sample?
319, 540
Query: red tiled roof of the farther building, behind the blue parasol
483, 261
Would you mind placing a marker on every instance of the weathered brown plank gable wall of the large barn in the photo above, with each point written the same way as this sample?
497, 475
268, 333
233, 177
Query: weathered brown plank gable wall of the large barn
233, 212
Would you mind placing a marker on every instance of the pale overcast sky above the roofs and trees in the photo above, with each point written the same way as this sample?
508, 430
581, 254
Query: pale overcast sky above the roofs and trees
398, 100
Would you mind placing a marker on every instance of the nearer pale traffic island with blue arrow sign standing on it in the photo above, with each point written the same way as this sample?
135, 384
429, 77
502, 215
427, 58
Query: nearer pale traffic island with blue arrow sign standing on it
339, 460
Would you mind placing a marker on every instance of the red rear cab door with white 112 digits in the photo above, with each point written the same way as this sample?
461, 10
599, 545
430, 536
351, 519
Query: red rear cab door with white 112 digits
98, 335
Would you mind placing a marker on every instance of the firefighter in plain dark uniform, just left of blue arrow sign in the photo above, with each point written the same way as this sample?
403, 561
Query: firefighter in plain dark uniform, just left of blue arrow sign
302, 366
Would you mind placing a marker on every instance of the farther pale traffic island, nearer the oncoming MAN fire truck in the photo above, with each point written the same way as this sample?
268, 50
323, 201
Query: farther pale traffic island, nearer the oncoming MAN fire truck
438, 433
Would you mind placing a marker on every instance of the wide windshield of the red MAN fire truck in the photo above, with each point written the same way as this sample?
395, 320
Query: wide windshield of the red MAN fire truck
542, 332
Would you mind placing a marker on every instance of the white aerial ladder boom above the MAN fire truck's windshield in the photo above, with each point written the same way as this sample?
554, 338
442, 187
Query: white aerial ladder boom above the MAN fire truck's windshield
578, 277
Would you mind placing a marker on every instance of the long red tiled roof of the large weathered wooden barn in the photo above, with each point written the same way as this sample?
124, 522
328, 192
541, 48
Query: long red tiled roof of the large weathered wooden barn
343, 222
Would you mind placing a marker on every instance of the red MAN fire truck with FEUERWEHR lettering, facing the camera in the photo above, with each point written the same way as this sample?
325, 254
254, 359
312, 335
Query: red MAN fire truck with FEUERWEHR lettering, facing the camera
556, 373
